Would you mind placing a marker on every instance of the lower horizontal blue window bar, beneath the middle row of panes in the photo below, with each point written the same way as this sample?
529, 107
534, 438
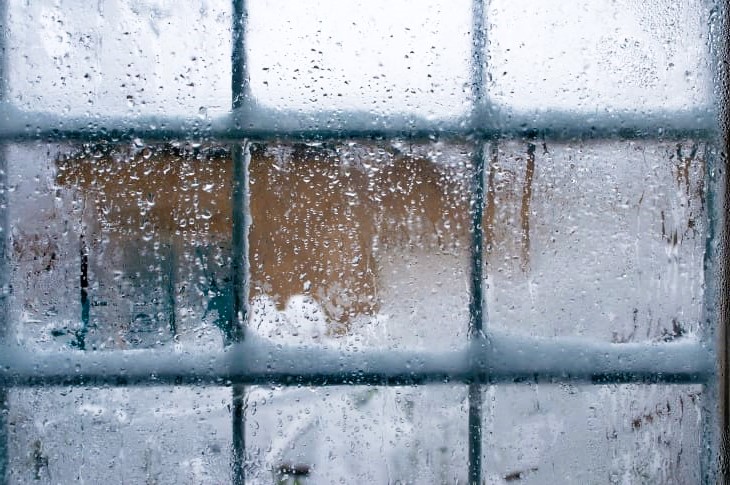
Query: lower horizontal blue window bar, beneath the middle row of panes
497, 359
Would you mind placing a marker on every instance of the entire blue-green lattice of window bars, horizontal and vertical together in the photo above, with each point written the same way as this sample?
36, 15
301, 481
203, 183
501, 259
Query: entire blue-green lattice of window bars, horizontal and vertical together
487, 357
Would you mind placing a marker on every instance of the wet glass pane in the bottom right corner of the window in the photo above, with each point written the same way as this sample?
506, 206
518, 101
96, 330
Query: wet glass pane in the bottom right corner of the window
592, 434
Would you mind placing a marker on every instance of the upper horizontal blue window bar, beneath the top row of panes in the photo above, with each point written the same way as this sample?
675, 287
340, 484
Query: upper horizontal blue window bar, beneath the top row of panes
262, 124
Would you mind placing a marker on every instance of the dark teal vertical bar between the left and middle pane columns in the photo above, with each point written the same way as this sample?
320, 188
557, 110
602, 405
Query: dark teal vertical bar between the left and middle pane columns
239, 204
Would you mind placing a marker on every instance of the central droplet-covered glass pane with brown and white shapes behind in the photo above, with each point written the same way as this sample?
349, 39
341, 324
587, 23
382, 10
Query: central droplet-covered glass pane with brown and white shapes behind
361, 241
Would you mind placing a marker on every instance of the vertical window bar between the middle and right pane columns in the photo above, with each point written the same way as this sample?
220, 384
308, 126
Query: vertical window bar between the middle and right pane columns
477, 313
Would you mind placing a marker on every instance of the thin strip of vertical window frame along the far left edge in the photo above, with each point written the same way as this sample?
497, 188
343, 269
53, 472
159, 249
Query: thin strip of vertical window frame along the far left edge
4, 248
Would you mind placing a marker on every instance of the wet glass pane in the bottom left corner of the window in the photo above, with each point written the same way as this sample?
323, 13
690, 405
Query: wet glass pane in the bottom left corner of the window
143, 435
